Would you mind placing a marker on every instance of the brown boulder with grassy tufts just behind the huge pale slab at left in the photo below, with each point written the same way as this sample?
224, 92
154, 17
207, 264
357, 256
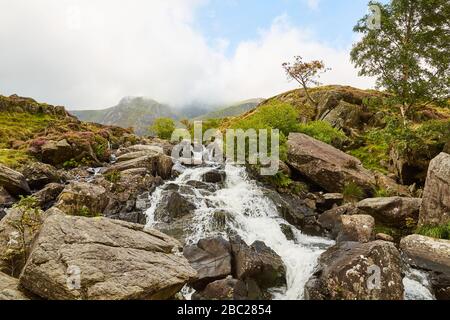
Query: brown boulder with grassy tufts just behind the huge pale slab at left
83, 199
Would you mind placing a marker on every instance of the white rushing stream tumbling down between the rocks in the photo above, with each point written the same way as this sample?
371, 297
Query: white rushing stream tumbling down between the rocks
255, 217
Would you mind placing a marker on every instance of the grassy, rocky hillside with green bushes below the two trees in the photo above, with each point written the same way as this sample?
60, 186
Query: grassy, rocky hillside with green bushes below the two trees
362, 123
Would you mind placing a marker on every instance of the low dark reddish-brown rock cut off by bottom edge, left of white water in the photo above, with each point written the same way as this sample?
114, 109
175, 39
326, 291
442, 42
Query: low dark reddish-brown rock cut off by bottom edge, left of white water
230, 289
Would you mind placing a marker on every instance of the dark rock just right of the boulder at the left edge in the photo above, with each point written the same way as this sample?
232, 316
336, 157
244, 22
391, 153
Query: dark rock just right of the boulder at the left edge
38, 175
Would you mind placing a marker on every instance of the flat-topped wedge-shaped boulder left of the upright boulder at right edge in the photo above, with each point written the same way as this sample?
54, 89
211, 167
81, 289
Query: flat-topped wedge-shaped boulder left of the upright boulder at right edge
393, 212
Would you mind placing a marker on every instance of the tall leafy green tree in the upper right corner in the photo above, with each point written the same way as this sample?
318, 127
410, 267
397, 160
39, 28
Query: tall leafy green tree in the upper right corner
409, 54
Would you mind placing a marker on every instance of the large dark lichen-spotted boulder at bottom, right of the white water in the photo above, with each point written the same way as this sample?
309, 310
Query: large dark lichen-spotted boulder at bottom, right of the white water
358, 271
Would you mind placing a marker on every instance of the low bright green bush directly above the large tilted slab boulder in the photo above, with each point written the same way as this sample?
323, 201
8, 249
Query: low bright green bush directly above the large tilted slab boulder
323, 131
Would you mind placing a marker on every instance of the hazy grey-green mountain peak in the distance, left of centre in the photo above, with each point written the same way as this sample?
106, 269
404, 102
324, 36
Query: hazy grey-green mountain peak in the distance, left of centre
136, 112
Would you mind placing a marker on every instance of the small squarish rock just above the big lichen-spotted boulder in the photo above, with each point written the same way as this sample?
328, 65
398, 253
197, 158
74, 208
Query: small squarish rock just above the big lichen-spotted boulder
357, 228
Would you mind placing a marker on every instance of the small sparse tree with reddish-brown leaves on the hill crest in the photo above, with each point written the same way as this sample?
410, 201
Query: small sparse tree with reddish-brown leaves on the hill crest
305, 73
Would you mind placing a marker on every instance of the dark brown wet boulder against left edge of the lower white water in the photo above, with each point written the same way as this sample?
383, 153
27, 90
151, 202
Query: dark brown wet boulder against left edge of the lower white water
257, 262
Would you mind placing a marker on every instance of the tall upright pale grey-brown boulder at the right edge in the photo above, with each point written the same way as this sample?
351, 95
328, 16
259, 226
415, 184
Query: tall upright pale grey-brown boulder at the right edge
435, 208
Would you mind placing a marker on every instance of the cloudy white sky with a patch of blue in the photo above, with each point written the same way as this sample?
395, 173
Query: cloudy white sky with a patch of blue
88, 54
